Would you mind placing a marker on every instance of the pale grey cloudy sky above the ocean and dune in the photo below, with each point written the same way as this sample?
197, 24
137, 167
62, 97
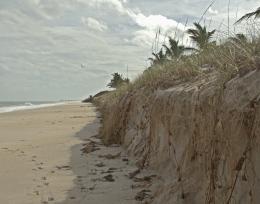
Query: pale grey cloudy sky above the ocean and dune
68, 49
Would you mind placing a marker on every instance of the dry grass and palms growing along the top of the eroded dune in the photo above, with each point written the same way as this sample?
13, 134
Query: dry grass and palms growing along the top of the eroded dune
174, 63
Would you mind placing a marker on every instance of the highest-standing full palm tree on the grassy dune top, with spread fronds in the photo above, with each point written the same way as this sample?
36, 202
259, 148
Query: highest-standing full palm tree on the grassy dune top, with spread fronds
201, 36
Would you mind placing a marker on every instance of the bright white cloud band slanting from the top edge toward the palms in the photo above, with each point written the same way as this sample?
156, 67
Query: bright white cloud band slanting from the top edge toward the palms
149, 25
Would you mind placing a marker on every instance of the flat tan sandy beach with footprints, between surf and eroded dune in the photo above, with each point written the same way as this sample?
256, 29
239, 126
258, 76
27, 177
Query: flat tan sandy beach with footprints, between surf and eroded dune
41, 159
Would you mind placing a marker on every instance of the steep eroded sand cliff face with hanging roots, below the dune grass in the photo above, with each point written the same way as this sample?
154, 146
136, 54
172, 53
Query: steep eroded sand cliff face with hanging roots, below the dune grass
202, 138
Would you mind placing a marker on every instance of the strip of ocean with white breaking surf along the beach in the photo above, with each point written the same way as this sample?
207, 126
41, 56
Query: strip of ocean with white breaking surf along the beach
10, 106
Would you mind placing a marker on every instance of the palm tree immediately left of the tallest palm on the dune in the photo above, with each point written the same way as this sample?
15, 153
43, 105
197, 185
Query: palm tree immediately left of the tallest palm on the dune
174, 50
